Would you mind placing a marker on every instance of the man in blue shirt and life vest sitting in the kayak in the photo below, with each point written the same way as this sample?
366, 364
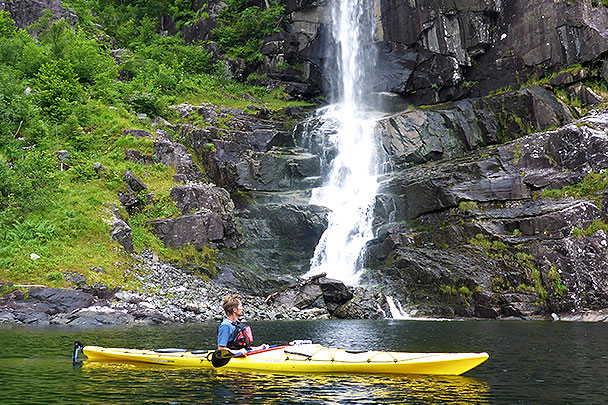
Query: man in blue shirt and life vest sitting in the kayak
233, 335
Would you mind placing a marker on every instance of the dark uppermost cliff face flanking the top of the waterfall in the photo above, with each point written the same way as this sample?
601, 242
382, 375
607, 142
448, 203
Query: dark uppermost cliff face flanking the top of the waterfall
432, 52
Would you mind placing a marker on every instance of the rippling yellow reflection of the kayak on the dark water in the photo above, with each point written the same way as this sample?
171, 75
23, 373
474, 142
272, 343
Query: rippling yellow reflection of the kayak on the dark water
256, 387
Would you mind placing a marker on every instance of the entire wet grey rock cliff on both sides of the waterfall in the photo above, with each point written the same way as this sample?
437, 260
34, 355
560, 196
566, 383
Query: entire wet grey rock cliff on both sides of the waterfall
493, 204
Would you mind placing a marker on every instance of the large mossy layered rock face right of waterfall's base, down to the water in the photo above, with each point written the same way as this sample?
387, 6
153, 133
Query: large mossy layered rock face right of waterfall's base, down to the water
477, 237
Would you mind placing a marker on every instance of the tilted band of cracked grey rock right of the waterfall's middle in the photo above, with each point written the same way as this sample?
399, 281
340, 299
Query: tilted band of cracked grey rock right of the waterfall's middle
454, 129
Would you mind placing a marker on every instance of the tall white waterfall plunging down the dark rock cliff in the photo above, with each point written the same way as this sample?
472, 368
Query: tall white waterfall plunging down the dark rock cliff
347, 128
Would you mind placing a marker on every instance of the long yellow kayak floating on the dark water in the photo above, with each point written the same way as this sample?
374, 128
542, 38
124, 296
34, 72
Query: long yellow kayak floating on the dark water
305, 358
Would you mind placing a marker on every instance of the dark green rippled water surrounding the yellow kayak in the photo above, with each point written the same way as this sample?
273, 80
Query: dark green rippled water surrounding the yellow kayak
530, 362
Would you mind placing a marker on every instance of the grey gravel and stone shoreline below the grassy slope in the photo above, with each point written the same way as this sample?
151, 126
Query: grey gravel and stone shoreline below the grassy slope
166, 295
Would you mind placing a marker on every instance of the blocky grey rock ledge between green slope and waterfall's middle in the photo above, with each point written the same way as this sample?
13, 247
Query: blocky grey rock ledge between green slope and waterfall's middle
254, 154
